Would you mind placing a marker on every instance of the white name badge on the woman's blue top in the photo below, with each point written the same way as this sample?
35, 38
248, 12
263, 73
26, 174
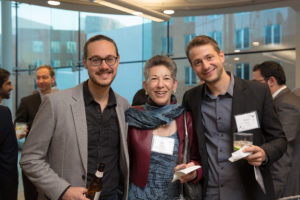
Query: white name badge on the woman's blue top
163, 145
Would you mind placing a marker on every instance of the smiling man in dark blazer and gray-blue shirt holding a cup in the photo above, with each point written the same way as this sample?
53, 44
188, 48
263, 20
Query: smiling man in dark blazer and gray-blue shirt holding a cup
223, 105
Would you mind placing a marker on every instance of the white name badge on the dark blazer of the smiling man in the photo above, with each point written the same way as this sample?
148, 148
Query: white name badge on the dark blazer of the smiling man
247, 121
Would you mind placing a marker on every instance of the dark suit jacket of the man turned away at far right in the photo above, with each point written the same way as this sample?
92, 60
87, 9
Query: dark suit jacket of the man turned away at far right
286, 171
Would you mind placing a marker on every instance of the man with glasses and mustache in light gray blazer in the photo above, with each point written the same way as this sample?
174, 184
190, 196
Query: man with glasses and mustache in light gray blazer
76, 129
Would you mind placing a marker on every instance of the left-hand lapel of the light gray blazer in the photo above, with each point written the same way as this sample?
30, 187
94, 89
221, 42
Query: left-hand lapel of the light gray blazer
79, 119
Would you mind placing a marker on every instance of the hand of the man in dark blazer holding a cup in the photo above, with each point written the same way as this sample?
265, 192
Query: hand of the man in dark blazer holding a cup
257, 157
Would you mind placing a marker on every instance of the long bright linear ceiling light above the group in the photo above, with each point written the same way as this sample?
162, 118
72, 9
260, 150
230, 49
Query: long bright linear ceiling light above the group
134, 9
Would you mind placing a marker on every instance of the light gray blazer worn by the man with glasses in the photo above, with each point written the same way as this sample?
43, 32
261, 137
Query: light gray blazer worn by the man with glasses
55, 153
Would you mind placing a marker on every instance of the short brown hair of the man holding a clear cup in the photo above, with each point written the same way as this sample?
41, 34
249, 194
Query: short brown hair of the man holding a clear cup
200, 41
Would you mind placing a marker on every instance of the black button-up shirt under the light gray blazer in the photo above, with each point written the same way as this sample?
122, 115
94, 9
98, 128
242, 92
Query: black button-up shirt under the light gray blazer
103, 141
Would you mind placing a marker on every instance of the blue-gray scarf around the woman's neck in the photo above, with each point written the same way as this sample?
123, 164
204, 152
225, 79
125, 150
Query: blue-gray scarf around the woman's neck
153, 116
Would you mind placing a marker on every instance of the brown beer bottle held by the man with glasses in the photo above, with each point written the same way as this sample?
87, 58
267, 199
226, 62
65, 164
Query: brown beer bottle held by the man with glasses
95, 186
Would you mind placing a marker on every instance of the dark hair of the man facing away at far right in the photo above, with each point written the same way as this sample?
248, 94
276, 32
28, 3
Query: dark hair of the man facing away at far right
271, 68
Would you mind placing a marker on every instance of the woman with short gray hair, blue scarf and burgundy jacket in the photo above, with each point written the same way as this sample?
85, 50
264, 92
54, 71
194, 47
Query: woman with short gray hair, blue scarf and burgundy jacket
159, 121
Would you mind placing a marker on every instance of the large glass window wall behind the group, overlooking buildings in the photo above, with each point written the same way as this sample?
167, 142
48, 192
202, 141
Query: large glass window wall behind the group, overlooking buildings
144, 38
